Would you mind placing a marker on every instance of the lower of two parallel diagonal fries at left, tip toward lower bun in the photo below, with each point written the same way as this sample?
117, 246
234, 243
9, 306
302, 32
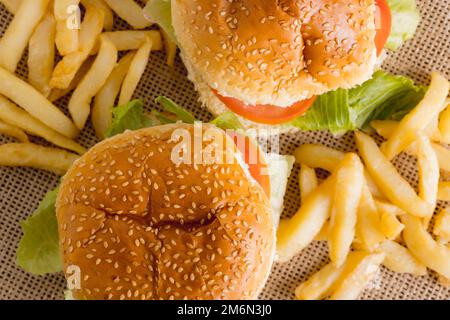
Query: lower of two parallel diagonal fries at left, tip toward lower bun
18, 117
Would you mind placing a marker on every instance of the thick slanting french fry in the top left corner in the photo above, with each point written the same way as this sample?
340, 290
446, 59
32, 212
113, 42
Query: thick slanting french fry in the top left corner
16, 37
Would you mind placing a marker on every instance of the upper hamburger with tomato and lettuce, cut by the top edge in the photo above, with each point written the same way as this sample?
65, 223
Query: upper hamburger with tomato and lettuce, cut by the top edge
270, 62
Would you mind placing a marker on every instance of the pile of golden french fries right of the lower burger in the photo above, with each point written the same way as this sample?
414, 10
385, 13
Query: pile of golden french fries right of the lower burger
367, 212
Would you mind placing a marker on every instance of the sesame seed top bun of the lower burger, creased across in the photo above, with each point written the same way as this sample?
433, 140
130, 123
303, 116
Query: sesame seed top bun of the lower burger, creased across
140, 226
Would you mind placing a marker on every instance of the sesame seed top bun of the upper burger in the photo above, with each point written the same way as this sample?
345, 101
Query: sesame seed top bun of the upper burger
277, 52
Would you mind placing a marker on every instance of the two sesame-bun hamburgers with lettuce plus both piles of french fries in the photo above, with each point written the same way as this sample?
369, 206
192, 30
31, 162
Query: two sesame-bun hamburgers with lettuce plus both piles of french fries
165, 206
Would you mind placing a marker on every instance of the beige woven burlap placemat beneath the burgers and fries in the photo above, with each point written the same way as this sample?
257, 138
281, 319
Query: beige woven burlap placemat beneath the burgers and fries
21, 189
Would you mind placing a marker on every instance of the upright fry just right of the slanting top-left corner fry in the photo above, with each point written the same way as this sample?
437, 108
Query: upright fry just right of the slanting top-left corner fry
41, 55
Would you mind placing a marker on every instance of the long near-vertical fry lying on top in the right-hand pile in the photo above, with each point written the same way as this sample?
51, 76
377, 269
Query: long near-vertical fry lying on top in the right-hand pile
346, 198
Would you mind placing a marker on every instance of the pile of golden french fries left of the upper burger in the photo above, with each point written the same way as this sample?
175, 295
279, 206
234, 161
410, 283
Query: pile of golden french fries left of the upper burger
89, 70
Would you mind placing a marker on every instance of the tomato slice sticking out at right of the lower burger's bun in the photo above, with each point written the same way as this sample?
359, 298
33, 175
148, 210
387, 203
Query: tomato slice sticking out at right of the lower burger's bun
257, 170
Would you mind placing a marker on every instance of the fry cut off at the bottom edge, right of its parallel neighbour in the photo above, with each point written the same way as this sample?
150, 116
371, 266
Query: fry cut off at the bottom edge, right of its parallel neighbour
357, 280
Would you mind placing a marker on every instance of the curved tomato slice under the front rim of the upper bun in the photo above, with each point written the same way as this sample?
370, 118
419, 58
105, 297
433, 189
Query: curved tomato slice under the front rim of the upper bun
266, 114
